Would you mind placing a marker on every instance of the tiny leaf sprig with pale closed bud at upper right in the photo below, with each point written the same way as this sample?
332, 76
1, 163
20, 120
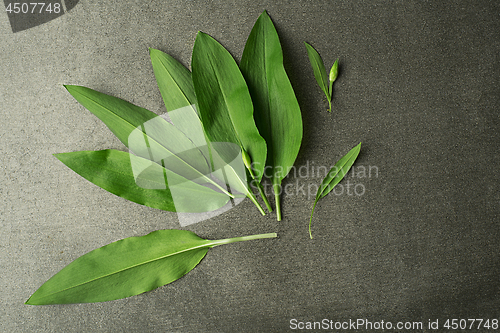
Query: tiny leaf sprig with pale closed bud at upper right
325, 82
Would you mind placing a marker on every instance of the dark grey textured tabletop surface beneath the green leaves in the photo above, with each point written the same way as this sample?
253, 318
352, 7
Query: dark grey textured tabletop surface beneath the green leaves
419, 86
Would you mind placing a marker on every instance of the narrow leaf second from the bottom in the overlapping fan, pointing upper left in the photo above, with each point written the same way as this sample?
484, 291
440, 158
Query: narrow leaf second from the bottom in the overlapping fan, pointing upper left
146, 134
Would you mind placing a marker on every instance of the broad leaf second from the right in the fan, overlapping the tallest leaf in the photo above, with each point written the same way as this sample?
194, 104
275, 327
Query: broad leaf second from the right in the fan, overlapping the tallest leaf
224, 102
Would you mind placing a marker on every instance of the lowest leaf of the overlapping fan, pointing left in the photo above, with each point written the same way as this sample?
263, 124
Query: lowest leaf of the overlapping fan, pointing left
142, 181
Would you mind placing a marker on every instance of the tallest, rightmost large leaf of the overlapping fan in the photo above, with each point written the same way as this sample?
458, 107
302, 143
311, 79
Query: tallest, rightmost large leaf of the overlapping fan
277, 112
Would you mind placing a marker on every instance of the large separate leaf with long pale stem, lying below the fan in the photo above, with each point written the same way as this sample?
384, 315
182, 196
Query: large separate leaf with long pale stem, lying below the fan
128, 267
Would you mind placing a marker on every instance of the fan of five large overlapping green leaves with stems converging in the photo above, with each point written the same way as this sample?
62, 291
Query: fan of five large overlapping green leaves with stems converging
251, 106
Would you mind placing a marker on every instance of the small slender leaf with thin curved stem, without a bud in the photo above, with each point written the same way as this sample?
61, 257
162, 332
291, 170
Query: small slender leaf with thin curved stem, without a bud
334, 176
